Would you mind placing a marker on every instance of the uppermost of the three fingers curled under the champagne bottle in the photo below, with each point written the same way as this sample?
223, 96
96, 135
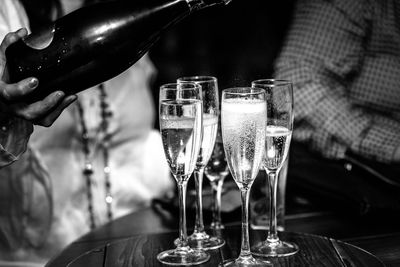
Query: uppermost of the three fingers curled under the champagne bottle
15, 91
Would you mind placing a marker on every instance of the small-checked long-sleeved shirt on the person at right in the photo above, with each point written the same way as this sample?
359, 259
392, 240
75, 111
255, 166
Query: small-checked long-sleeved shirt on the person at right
343, 57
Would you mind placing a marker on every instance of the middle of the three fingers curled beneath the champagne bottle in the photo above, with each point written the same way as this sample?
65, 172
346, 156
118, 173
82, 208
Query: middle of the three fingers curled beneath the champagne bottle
39, 109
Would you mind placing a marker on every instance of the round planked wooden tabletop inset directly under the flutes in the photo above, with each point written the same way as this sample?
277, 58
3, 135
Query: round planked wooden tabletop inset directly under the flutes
142, 250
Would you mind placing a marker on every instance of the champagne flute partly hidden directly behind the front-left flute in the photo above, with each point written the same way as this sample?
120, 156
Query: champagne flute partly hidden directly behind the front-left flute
209, 87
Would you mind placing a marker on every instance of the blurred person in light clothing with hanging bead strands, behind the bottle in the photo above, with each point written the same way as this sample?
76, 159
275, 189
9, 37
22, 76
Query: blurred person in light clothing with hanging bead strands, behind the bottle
99, 160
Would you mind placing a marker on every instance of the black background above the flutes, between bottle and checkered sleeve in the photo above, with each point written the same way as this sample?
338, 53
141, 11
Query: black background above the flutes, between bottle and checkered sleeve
236, 43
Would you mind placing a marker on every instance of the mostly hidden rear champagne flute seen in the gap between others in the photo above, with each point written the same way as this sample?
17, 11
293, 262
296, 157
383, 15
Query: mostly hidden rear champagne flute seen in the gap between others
216, 171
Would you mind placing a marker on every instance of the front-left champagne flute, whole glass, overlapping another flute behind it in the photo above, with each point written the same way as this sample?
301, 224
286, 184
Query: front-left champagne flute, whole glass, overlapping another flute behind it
180, 110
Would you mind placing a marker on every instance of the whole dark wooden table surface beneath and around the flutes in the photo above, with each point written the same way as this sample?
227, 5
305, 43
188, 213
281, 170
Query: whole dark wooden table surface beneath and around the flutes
138, 237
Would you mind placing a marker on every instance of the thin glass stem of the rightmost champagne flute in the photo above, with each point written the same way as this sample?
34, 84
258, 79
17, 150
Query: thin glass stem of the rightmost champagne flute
272, 233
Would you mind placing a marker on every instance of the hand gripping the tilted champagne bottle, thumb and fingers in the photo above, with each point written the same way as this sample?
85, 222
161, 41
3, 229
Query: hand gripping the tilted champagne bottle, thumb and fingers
43, 112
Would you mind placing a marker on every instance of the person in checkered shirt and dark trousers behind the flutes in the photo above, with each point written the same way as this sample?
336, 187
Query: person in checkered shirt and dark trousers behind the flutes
343, 57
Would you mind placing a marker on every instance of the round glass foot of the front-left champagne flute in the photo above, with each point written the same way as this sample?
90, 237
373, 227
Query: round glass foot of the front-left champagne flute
183, 256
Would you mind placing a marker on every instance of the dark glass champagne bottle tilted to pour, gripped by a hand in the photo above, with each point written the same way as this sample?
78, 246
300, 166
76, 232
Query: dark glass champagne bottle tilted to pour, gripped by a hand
94, 43
